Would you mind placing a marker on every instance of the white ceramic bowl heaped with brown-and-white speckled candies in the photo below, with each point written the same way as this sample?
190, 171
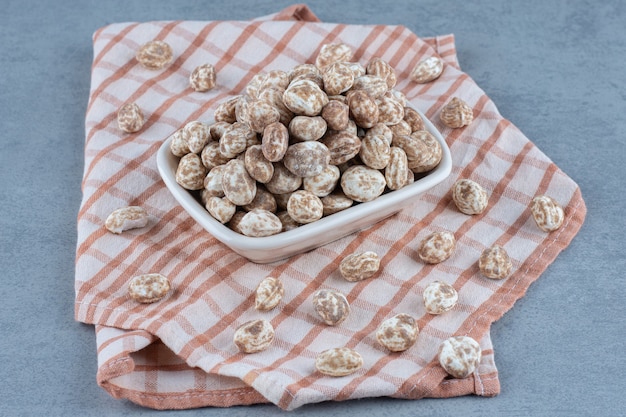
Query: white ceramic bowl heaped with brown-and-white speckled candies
303, 158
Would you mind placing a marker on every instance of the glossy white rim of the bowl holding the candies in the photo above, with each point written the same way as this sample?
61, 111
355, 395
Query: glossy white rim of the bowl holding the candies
167, 163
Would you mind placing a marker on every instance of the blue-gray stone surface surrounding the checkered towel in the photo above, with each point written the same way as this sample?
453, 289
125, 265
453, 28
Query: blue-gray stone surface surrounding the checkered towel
554, 68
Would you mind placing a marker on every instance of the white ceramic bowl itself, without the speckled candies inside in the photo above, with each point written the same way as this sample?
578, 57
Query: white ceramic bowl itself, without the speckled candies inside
304, 238
